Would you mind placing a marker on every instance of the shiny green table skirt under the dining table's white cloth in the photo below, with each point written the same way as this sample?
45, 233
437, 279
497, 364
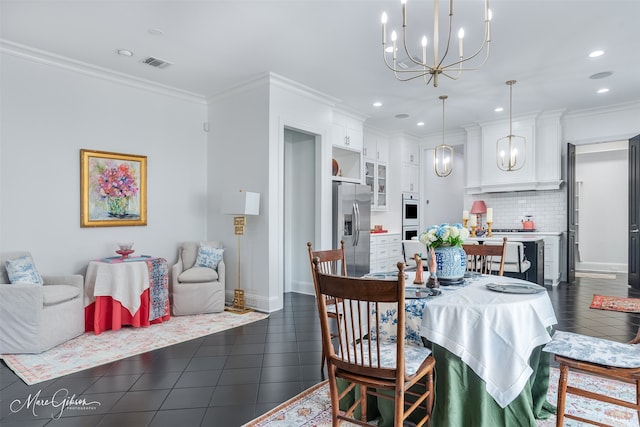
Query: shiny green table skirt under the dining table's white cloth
461, 398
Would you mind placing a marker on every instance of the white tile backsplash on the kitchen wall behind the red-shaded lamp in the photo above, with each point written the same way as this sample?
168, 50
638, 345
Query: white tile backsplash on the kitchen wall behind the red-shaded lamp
548, 208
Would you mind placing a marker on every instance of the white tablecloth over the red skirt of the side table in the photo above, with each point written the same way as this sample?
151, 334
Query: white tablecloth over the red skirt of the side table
124, 282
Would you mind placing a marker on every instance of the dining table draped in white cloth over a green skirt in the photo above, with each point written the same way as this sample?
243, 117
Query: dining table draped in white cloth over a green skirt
486, 333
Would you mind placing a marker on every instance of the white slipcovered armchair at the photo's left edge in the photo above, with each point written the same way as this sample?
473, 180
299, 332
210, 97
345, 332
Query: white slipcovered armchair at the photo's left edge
34, 317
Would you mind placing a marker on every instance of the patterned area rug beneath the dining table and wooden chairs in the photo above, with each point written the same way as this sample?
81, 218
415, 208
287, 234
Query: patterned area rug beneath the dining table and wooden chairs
313, 408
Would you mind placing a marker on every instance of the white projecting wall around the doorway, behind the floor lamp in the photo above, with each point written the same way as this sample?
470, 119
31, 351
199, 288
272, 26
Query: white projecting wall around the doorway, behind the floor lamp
248, 125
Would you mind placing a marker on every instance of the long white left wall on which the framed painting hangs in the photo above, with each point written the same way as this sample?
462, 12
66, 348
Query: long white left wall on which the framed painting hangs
50, 110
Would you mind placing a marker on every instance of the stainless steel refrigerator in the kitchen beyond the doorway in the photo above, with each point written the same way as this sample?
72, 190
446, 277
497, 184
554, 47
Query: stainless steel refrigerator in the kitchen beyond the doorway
352, 223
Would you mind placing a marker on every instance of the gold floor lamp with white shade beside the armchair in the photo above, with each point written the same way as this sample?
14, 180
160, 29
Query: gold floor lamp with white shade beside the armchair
240, 204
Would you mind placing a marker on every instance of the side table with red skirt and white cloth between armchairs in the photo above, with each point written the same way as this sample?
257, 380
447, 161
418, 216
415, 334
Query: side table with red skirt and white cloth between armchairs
126, 292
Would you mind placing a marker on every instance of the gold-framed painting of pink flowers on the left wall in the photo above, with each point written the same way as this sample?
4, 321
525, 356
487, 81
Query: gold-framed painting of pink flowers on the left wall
113, 189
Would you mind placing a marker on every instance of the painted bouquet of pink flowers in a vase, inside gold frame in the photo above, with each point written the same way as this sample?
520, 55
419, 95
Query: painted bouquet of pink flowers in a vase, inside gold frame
116, 184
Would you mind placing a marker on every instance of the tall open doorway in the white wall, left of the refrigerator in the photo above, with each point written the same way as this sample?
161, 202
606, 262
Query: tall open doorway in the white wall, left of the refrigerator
300, 153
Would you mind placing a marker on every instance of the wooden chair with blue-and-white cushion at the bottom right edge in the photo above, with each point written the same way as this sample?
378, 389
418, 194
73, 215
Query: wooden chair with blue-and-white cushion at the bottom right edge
595, 356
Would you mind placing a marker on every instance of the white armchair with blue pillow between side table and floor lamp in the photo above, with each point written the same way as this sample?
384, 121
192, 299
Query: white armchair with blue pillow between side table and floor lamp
196, 289
